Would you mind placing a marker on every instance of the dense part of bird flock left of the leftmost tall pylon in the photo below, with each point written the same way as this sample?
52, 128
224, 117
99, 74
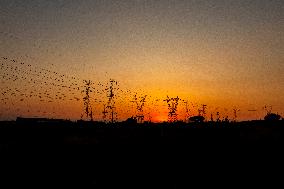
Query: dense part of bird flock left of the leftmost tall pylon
22, 82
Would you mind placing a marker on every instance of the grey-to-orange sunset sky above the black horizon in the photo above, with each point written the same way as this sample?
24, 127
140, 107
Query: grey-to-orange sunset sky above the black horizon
223, 53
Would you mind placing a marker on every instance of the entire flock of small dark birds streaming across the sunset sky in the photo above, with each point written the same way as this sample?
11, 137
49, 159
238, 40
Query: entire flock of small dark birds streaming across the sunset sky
28, 90
